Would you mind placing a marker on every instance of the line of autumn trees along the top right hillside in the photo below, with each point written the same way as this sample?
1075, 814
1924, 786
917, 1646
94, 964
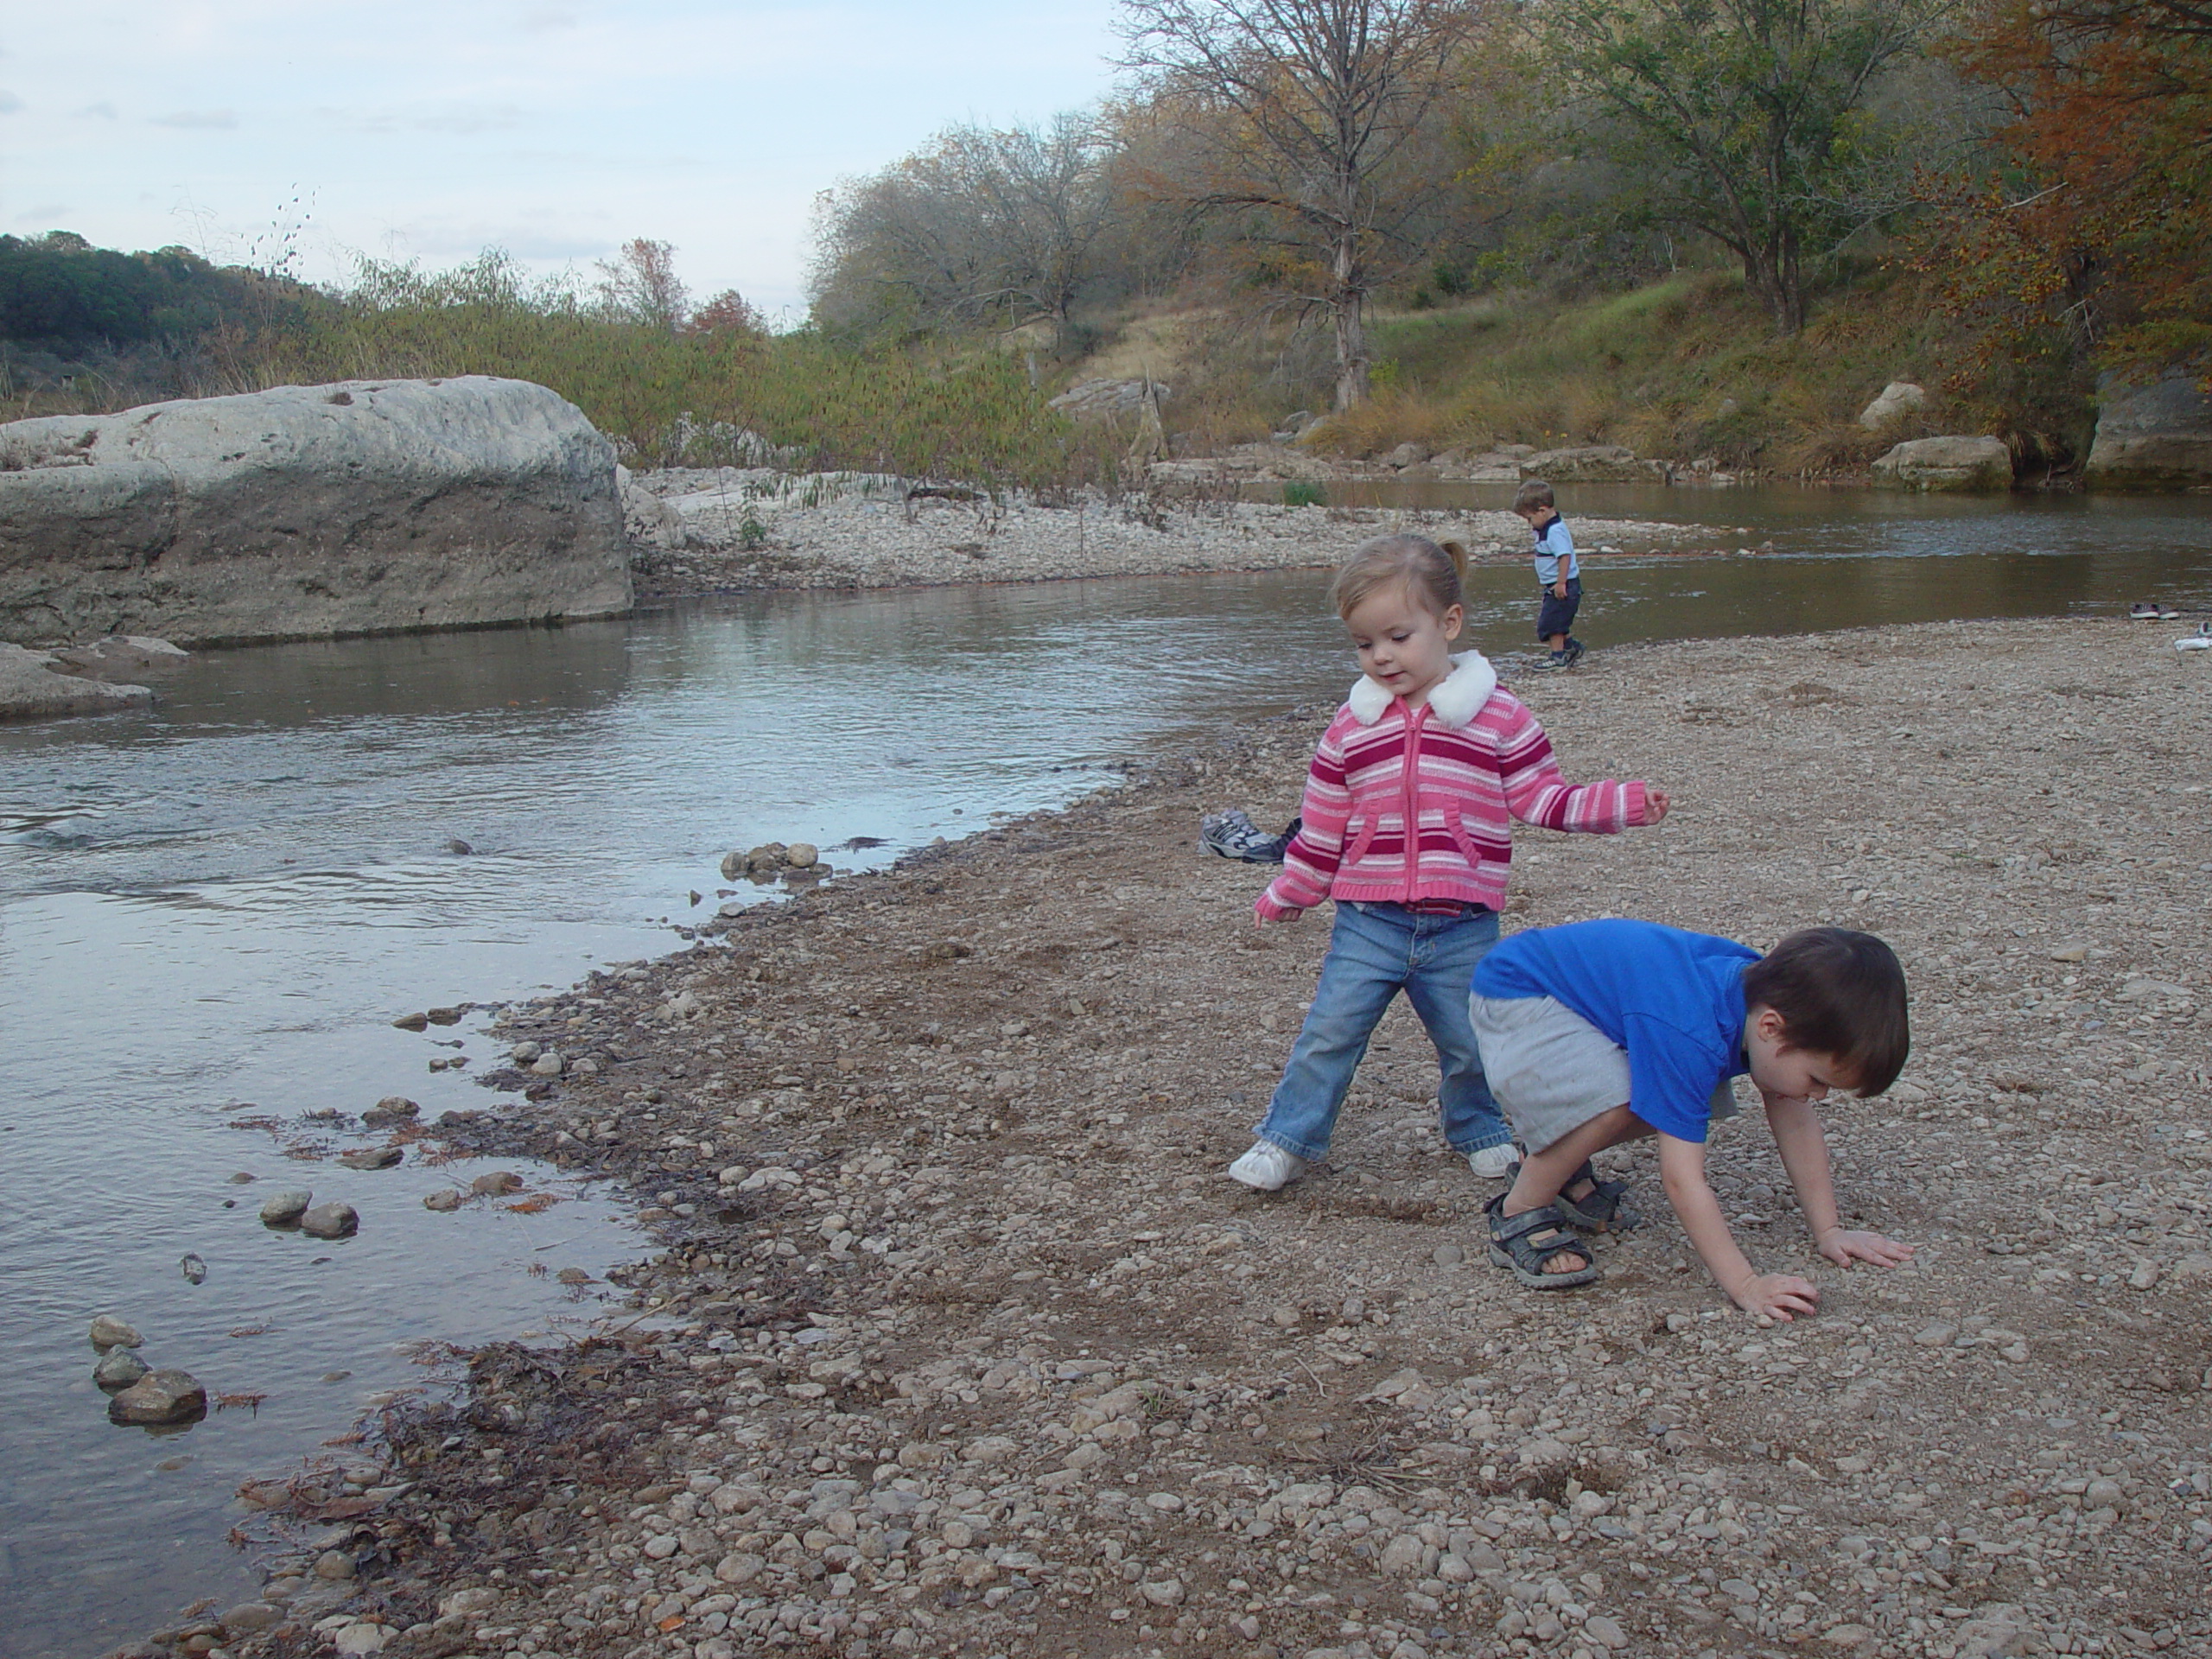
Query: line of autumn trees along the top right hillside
1317, 158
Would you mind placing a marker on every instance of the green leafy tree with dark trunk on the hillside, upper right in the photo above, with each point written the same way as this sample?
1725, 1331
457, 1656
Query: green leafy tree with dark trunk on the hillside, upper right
1749, 118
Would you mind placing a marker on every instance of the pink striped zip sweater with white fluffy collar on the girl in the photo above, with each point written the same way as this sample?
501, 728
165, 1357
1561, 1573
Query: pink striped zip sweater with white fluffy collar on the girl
1412, 804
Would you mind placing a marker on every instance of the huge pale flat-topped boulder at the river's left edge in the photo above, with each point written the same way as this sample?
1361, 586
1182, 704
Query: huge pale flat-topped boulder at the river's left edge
306, 512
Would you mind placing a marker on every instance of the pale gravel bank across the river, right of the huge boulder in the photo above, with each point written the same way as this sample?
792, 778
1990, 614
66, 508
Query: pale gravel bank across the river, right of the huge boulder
758, 530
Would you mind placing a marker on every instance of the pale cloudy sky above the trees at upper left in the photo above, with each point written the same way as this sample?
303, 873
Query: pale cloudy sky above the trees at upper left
556, 129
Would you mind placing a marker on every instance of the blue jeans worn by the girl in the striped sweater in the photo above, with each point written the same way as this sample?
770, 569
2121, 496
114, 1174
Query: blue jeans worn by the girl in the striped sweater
1375, 954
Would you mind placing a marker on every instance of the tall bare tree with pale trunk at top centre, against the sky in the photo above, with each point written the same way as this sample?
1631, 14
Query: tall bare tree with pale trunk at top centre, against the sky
1313, 116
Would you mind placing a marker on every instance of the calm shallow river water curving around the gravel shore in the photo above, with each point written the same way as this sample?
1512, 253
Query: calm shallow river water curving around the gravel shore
213, 912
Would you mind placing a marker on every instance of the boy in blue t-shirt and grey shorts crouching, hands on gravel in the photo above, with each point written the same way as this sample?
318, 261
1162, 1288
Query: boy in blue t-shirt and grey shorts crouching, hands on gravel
1598, 1034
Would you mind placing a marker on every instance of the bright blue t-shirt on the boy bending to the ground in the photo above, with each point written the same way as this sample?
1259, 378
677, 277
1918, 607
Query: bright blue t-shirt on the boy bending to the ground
1671, 999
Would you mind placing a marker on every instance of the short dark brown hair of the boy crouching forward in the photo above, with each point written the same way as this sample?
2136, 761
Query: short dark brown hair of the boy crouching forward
1839, 994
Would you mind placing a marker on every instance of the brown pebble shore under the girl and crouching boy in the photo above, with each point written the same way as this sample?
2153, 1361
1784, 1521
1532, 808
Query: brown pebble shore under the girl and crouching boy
961, 1344
